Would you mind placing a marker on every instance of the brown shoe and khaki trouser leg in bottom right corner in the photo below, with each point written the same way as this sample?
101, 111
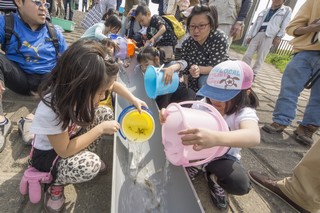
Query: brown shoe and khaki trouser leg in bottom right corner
302, 189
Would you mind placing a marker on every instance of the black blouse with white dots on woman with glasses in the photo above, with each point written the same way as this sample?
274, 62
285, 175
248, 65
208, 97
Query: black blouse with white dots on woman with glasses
212, 52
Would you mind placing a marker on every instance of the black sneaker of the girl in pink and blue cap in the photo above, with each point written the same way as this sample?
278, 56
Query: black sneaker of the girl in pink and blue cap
217, 194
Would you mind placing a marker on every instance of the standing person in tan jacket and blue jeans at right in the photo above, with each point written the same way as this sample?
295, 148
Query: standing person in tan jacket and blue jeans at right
304, 64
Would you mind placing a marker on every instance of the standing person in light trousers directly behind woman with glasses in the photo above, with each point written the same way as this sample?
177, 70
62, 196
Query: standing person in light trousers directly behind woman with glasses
231, 21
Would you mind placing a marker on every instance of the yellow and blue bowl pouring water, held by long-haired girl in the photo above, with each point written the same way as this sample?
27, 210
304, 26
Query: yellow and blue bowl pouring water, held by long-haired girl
136, 127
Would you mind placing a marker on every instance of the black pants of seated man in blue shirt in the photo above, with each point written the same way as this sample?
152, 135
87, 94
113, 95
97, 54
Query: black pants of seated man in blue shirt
17, 80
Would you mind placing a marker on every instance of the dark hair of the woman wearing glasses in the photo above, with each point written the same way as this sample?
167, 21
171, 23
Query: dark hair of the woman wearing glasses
210, 11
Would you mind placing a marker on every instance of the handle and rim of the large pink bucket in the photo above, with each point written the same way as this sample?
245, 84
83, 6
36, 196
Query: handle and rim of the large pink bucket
211, 108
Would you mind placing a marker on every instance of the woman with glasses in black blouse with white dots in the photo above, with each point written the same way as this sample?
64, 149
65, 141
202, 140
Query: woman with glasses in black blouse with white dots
206, 46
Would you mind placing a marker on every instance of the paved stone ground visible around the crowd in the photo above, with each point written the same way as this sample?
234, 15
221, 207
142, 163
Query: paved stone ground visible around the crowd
276, 155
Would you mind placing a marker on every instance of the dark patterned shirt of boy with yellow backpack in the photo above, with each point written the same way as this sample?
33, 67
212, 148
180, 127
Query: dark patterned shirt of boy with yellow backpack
168, 38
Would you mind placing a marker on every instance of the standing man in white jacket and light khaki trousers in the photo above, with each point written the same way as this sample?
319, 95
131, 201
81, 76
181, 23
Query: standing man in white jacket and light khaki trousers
266, 31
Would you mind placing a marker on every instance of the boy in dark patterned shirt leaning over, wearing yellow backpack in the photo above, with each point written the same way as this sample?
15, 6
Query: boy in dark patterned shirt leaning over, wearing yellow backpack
159, 33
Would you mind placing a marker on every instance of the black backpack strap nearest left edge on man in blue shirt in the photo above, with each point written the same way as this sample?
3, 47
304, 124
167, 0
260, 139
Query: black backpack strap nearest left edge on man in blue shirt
8, 29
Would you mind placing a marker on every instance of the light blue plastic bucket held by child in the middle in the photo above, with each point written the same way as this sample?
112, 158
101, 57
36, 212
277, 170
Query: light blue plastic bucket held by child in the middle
154, 85
